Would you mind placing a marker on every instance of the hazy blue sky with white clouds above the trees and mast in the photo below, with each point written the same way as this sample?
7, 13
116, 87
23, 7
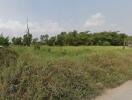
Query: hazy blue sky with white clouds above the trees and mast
53, 16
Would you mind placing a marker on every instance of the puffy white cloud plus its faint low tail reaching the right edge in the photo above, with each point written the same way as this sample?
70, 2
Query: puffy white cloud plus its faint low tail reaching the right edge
98, 23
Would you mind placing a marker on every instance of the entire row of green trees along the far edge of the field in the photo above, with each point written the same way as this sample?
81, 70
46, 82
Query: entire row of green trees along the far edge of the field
72, 38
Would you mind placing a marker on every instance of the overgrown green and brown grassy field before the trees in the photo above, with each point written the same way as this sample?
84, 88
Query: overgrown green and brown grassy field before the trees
63, 73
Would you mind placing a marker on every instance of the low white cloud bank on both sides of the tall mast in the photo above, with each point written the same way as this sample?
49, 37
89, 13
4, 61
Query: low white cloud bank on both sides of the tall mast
17, 28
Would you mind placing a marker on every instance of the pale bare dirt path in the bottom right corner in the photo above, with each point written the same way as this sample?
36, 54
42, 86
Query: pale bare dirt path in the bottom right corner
124, 92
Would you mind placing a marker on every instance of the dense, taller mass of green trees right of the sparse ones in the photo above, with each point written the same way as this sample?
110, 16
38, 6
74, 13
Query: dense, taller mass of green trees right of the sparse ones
86, 38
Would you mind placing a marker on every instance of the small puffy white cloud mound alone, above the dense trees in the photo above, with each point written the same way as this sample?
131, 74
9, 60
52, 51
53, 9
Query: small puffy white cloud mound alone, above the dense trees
95, 20
